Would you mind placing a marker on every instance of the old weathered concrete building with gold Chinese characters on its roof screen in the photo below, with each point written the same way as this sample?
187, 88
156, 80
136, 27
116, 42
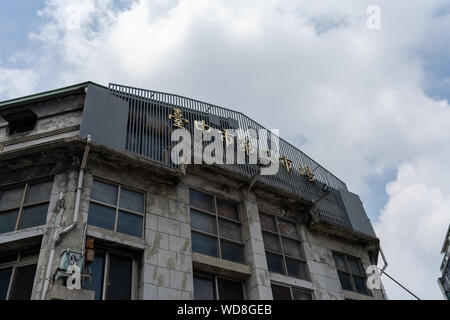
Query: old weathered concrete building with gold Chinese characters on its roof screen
87, 183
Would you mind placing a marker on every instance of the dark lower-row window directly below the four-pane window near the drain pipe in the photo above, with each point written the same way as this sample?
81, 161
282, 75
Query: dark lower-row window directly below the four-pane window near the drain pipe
112, 276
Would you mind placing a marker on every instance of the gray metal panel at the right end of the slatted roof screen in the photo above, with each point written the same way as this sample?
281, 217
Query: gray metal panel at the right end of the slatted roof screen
356, 213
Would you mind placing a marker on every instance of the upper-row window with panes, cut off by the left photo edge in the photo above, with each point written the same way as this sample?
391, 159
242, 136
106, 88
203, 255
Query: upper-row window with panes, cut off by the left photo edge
24, 206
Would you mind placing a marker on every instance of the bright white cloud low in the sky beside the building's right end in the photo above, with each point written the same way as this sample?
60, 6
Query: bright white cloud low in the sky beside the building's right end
412, 228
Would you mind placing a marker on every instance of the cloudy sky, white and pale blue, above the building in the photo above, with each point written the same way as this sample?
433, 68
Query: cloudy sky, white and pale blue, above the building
369, 105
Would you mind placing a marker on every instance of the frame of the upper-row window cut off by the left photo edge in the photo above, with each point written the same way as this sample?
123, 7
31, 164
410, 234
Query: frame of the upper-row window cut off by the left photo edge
23, 205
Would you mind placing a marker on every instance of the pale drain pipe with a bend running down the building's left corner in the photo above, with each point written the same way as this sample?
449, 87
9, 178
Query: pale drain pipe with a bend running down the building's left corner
58, 235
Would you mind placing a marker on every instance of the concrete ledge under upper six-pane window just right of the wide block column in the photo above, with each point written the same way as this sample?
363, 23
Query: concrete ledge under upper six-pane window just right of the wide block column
207, 264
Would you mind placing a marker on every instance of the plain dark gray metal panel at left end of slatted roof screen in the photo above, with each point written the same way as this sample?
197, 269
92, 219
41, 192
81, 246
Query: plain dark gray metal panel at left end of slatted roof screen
105, 118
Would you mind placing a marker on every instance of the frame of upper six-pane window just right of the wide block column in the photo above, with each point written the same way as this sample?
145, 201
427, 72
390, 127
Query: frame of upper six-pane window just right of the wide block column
216, 216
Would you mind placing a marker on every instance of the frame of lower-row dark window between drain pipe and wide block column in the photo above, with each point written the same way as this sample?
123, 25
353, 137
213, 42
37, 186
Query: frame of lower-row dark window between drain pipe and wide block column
134, 272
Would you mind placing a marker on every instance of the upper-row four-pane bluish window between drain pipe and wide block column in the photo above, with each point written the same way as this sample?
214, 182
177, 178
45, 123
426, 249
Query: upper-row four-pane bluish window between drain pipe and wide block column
116, 208
